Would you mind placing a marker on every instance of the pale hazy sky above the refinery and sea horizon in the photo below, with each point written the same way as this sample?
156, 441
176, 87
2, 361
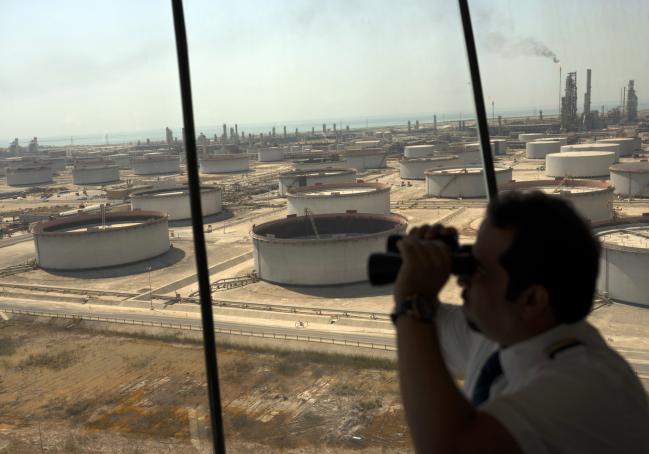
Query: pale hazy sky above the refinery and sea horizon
78, 66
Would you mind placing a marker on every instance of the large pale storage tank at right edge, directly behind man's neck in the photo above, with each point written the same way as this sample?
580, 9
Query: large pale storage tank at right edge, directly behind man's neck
624, 260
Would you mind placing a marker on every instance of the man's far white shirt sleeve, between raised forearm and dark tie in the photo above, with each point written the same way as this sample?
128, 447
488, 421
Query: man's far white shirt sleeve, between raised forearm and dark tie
455, 336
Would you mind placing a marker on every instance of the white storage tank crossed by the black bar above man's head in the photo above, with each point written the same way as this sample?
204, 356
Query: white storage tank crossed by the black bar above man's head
462, 182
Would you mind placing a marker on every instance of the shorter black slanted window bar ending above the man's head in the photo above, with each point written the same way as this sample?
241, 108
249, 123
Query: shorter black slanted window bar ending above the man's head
483, 126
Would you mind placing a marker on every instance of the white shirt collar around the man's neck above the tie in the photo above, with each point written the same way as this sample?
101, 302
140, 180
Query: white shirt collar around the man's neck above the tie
519, 358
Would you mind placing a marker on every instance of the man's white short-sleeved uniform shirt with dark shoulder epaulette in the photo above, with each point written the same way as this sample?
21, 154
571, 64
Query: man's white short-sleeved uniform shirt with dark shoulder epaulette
586, 399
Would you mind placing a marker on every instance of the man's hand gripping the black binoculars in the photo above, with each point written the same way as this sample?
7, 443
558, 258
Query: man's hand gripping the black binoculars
426, 264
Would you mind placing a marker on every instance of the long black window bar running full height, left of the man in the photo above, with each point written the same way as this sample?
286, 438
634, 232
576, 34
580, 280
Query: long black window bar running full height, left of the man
209, 341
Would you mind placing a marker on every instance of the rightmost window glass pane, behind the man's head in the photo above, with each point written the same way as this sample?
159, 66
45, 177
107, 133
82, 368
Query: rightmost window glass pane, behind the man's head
565, 88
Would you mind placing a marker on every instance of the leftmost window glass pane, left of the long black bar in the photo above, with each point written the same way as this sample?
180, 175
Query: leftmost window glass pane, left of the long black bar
96, 353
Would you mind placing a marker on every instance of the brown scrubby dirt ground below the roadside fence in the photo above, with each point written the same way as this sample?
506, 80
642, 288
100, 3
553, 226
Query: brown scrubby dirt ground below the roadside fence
65, 388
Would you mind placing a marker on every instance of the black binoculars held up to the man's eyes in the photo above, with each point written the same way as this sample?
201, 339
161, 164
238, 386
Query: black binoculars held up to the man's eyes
382, 268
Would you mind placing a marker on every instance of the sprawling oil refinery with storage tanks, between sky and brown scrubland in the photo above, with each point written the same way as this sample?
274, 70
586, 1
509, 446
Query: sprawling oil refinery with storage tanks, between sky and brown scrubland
103, 234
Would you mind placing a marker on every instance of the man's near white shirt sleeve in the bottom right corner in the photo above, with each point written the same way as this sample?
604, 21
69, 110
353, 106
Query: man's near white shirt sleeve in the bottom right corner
575, 409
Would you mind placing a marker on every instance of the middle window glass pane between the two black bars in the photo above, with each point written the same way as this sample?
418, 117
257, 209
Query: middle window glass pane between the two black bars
288, 95
